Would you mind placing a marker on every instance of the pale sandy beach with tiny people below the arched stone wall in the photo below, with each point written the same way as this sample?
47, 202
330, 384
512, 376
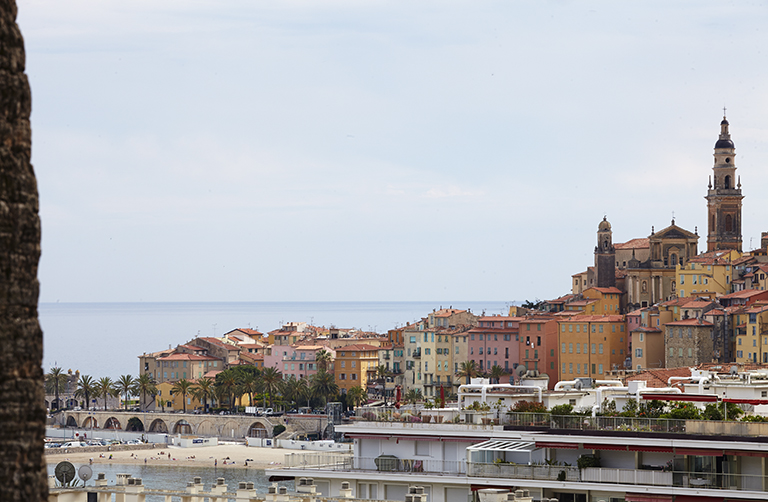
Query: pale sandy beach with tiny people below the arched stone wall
222, 456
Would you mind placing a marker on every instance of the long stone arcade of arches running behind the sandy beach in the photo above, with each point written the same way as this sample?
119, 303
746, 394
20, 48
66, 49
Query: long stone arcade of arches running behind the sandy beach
230, 426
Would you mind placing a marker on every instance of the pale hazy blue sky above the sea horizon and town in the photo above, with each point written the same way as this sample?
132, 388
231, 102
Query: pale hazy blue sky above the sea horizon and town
347, 150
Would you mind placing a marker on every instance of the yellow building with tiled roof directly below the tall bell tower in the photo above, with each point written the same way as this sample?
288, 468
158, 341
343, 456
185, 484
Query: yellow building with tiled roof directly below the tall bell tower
710, 272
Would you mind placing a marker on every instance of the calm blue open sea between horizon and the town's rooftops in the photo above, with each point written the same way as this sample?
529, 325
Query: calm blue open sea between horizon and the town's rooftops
106, 339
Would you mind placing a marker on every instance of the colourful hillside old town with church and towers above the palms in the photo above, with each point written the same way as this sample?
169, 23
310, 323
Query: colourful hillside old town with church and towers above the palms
643, 309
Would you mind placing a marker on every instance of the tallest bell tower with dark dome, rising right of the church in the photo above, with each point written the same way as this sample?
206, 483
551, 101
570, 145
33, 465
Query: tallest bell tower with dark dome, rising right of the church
724, 196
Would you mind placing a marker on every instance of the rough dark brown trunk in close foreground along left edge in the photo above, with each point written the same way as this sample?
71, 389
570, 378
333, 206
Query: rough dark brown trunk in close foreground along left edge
22, 412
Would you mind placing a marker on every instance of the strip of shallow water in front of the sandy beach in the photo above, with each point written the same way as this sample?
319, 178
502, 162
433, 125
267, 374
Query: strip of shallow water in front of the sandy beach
176, 478
